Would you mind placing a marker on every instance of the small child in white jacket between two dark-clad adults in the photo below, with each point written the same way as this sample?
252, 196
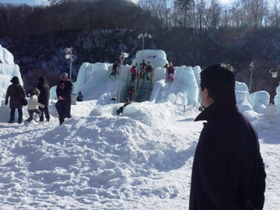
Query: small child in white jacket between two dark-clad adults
33, 104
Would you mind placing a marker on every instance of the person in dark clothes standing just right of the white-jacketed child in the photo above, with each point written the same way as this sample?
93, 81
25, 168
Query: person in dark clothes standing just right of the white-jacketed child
44, 98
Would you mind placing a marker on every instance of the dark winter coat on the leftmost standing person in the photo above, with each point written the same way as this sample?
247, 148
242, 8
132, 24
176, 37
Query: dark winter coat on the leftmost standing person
14, 95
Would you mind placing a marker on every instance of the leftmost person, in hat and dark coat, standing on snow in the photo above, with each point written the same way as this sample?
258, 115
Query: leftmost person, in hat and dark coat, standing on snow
14, 93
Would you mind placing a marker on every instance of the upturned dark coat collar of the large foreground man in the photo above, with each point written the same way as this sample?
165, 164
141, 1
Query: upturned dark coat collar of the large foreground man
224, 104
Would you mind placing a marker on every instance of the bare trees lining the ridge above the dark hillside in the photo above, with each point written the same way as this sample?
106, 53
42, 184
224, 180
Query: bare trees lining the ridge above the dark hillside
61, 15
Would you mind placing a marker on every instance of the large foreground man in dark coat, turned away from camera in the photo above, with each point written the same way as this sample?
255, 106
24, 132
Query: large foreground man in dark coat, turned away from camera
228, 170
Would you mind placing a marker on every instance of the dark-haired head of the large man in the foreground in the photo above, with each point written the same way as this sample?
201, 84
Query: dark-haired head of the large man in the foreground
219, 79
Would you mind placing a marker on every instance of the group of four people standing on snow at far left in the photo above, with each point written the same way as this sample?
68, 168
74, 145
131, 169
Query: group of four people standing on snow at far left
39, 99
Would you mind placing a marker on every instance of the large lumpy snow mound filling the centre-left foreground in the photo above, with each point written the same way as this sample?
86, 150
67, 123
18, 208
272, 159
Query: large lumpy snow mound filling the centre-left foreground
109, 165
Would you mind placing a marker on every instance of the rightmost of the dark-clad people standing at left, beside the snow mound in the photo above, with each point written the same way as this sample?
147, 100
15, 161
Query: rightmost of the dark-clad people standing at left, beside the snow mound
63, 93
